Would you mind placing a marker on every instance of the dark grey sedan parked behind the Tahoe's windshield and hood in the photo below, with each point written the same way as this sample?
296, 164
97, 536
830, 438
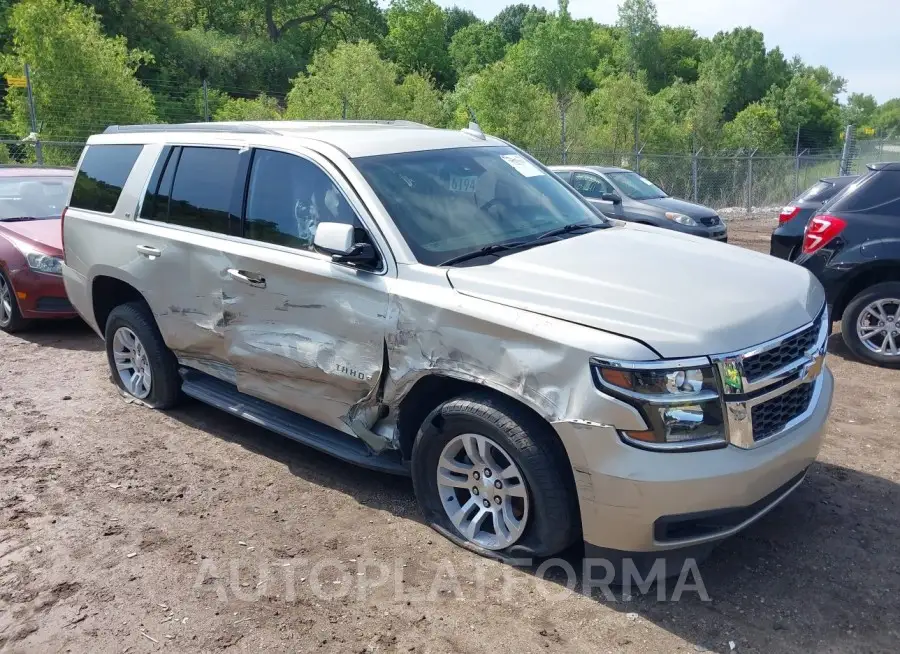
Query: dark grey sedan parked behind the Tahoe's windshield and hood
623, 194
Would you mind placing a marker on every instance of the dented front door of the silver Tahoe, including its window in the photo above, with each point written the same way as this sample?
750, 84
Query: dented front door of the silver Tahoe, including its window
305, 333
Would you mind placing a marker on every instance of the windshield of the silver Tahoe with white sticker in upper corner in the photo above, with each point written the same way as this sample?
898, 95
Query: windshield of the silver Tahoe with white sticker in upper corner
451, 202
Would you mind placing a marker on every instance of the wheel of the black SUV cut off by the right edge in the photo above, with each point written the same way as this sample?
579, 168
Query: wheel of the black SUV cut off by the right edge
857, 311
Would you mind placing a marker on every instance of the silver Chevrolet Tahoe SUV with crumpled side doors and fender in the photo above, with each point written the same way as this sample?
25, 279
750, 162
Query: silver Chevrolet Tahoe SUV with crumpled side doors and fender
437, 303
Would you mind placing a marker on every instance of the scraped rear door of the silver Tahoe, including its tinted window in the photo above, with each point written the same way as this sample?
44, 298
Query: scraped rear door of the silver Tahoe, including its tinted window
189, 211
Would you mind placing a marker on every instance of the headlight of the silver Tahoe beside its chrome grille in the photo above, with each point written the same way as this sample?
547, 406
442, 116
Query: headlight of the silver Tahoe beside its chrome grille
679, 400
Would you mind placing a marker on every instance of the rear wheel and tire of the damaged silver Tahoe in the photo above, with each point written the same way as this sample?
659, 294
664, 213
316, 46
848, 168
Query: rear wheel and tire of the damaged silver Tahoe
163, 388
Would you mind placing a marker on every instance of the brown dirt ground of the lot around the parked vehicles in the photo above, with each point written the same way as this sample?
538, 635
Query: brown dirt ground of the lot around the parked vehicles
128, 530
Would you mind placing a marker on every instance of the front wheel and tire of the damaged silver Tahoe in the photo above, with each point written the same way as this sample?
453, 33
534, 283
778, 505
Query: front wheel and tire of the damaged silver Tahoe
550, 519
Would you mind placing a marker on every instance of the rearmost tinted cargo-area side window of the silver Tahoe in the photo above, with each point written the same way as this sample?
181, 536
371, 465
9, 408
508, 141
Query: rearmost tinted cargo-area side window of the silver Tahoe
104, 171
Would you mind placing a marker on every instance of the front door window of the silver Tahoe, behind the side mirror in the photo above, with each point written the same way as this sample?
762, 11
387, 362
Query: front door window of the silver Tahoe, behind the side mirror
288, 197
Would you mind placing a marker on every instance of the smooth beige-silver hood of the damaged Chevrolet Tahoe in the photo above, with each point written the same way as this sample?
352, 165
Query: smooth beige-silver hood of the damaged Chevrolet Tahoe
681, 295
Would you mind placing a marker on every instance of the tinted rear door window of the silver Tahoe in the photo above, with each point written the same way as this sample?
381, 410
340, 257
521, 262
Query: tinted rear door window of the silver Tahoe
202, 189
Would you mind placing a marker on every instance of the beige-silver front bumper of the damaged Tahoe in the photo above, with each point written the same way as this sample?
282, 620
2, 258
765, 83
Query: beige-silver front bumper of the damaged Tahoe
626, 494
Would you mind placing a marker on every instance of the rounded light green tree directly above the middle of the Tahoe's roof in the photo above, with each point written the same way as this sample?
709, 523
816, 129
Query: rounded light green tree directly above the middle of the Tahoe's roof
351, 81
